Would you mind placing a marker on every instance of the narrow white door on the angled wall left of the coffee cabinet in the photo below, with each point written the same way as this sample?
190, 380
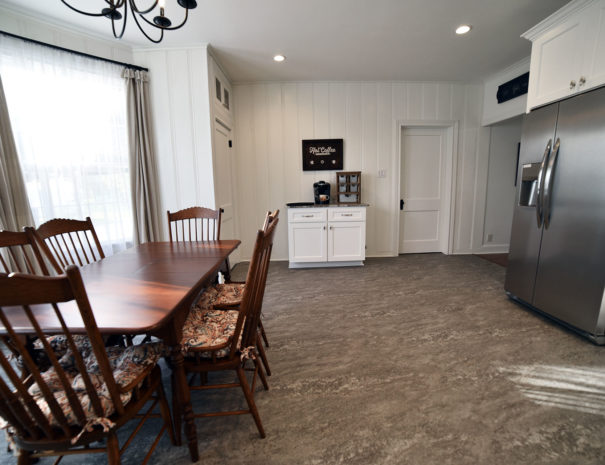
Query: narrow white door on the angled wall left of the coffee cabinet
223, 183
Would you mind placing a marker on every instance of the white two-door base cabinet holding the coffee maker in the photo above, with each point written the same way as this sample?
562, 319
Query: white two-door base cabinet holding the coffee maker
326, 236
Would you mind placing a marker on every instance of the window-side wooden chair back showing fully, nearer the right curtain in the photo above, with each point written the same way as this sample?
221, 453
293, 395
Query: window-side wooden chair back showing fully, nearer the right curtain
69, 242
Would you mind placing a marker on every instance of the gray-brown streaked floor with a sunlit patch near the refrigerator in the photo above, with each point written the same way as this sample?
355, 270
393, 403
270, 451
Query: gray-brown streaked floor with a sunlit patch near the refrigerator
417, 360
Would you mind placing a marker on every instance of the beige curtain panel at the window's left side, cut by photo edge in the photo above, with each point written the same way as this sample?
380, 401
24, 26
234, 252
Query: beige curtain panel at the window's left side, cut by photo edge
15, 212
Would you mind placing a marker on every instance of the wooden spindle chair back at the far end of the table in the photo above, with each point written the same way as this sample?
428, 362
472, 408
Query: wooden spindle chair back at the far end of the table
194, 224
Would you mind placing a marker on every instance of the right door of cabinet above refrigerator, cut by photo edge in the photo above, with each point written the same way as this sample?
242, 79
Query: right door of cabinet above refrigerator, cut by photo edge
593, 69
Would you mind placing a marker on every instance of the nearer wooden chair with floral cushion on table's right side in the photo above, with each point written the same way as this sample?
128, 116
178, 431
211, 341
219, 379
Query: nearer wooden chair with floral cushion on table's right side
219, 340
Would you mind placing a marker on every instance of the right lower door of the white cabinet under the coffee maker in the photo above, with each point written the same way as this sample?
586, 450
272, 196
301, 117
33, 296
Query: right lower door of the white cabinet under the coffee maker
346, 241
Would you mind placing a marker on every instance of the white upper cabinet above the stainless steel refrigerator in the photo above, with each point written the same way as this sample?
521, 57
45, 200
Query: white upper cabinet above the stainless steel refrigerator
568, 52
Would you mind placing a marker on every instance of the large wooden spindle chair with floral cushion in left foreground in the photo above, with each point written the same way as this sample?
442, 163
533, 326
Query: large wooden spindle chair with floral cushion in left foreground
89, 392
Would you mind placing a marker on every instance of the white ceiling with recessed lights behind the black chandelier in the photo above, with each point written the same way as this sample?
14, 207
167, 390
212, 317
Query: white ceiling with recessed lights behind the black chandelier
337, 39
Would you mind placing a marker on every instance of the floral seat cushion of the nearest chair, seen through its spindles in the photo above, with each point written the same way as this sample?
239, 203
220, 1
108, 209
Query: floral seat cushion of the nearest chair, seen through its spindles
129, 366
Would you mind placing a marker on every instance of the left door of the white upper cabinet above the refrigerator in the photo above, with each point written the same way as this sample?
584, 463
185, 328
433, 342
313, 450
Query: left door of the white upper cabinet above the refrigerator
556, 61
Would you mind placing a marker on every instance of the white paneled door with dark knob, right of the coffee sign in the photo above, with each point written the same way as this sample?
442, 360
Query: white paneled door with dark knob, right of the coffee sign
425, 190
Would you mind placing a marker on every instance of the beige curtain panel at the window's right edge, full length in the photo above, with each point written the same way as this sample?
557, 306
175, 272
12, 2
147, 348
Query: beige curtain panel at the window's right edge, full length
143, 168
